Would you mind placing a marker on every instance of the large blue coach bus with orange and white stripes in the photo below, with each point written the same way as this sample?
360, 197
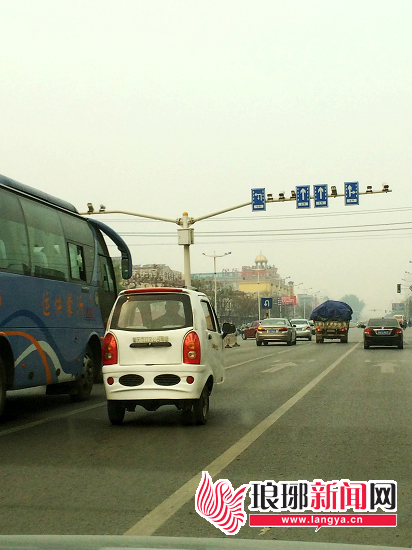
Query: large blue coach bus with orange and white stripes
57, 287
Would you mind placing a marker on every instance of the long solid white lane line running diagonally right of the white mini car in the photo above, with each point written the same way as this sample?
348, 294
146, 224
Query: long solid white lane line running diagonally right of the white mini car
166, 509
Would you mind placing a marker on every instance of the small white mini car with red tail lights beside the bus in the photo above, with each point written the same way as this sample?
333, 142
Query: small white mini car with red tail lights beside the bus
163, 346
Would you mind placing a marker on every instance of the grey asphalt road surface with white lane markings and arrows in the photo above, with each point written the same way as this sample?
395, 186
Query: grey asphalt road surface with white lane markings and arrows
330, 411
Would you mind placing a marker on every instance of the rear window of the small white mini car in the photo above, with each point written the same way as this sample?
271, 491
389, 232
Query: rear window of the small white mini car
152, 312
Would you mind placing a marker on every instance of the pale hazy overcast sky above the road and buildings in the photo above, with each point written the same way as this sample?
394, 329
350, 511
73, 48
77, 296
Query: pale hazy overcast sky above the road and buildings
164, 106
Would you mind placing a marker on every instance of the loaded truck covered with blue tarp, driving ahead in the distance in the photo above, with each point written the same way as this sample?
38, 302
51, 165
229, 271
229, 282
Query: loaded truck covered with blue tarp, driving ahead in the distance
331, 320
